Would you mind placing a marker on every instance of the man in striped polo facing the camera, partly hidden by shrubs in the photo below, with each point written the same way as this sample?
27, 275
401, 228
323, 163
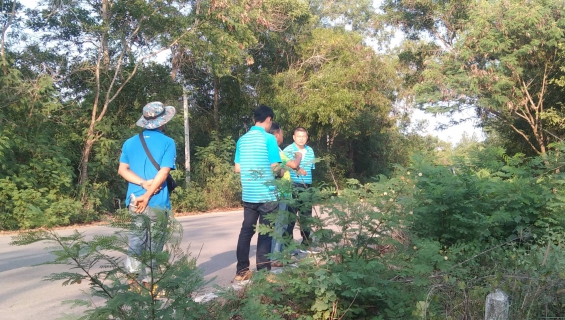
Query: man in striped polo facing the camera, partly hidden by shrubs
301, 179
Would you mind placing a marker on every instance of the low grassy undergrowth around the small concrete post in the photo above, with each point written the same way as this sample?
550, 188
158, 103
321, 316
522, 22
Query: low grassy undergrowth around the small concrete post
530, 274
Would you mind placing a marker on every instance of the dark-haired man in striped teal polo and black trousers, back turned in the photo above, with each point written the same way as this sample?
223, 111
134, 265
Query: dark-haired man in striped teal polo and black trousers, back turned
256, 159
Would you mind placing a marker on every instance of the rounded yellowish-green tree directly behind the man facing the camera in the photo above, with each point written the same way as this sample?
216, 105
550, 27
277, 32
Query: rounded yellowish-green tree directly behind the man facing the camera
342, 92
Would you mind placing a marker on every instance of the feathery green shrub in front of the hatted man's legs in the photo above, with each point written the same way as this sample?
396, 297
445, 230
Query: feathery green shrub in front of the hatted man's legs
99, 261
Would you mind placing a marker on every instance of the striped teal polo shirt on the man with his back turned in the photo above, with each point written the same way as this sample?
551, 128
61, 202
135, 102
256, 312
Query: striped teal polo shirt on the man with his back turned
255, 152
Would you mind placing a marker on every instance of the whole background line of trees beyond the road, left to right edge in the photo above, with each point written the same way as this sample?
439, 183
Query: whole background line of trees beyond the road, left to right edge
75, 76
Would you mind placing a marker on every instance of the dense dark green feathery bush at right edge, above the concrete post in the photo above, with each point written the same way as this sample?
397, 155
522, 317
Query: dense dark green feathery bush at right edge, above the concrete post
488, 196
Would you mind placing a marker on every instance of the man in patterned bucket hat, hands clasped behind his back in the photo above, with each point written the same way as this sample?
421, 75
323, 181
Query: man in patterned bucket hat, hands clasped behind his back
147, 188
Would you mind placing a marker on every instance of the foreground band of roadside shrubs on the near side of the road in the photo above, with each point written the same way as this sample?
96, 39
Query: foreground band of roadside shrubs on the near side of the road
428, 243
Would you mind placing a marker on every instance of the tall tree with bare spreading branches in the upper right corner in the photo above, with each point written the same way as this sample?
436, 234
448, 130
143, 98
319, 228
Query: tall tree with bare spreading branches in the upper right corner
497, 57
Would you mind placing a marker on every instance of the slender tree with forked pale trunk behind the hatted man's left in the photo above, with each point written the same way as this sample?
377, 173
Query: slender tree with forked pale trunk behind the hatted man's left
107, 42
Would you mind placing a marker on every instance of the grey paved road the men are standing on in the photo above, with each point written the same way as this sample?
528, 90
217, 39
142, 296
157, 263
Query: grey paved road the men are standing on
212, 236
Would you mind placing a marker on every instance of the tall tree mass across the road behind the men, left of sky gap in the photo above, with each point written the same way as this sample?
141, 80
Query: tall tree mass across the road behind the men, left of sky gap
74, 80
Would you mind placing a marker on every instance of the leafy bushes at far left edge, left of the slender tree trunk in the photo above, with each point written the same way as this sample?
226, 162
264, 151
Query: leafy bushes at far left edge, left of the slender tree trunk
36, 172
